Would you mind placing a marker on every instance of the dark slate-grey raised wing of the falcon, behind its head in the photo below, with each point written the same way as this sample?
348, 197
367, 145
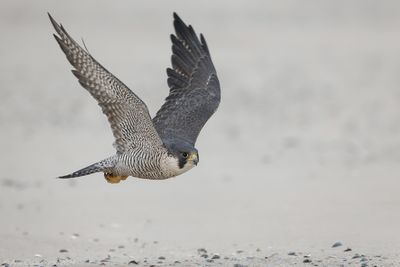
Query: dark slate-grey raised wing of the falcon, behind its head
194, 87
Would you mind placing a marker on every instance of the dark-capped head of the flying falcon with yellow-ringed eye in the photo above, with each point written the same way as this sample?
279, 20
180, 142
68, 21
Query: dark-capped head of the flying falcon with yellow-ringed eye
184, 155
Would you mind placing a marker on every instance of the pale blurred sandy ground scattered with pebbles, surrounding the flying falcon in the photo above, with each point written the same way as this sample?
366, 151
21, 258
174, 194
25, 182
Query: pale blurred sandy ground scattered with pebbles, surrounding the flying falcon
303, 152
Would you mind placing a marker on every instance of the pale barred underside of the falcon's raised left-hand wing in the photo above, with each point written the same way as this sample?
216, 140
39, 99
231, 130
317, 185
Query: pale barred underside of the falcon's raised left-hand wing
128, 115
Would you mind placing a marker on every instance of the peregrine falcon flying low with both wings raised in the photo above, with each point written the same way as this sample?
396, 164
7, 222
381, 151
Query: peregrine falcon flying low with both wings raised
164, 146
